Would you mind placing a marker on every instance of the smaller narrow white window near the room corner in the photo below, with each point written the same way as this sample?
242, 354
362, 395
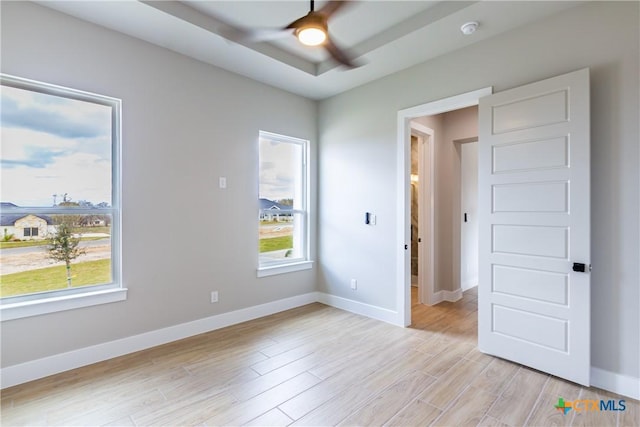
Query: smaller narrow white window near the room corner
283, 216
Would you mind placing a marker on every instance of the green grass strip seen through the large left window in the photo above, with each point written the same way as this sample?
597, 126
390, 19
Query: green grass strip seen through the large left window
52, 278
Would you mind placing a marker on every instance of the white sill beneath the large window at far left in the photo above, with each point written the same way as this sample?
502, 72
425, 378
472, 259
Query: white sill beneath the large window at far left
23, 309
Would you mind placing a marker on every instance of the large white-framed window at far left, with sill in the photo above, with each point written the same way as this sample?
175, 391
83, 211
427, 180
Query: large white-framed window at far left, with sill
60, 211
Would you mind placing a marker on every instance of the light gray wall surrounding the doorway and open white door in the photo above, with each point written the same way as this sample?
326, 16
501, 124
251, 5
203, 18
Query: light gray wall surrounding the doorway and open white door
357, 164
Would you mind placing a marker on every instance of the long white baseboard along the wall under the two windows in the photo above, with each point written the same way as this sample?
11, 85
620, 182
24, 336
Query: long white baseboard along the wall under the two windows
40, 368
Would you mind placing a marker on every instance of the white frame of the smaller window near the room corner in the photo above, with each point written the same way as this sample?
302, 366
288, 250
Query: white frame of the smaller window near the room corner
303, 262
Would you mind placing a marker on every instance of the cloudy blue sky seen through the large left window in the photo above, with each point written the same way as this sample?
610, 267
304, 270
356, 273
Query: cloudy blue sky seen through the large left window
53, 145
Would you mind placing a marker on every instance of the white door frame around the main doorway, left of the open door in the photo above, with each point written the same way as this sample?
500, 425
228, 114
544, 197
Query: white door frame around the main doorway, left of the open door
403, 255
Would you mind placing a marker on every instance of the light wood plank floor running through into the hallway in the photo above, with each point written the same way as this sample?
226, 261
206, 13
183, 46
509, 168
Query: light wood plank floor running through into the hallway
313, 365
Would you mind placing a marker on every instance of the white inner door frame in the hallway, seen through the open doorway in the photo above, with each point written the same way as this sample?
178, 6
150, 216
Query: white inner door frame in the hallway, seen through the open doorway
426, 223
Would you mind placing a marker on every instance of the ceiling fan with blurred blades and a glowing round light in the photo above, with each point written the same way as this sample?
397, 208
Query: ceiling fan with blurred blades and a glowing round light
311, 30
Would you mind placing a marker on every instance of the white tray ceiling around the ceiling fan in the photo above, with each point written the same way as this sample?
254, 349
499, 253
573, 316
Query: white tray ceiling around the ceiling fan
386, 36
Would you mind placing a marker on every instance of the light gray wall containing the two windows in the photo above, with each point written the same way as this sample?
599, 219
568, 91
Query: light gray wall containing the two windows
184, 124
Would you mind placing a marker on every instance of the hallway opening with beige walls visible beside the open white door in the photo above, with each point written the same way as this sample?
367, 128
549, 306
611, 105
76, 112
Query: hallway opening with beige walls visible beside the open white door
452, 237
